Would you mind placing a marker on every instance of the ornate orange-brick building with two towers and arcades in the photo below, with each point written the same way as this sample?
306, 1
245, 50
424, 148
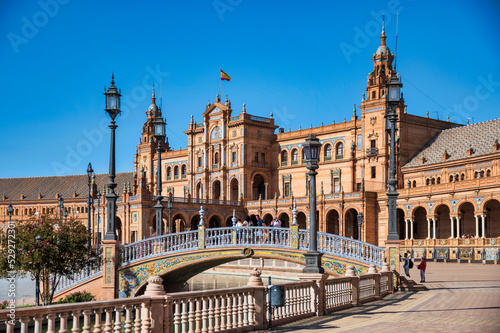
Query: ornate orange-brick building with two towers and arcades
448, 175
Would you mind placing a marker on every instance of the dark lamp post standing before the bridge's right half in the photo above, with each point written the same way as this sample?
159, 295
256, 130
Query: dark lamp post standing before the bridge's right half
313, 257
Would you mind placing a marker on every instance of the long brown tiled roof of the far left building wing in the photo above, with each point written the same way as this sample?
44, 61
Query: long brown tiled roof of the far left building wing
48, 187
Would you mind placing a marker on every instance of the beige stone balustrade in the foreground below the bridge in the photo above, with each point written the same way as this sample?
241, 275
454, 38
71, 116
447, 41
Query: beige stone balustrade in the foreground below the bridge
226, 310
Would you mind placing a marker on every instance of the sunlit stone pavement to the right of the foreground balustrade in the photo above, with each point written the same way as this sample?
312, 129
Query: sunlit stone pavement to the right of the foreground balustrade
459, 298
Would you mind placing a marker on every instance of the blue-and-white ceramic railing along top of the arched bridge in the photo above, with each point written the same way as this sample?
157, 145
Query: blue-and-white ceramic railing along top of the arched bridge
290, 238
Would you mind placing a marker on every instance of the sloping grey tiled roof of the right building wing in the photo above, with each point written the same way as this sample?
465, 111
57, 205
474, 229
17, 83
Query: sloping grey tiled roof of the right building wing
456, 141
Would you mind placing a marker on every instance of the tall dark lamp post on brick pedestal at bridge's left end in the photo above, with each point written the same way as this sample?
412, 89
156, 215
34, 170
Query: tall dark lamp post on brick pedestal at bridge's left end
113, 109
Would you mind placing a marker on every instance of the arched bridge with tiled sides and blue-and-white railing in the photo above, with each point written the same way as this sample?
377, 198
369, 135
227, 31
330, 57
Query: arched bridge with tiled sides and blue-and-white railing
122, 271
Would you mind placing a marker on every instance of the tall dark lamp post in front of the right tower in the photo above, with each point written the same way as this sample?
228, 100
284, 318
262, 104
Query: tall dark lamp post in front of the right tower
394, 87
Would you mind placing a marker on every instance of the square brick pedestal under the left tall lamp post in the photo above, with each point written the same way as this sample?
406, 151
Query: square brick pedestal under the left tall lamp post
110, 262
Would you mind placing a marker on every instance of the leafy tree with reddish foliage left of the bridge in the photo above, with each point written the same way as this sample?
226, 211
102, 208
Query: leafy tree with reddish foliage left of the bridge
48, 248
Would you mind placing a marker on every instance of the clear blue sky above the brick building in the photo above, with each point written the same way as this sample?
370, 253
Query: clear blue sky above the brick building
307, 61
